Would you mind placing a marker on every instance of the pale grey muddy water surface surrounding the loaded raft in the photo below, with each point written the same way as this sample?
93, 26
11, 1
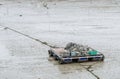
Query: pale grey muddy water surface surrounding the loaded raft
93, 24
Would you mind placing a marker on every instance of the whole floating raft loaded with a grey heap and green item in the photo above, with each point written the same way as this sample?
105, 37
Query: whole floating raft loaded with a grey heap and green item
75, 53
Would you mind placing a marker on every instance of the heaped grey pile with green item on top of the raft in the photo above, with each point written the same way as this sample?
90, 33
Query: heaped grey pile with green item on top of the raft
79, 50
